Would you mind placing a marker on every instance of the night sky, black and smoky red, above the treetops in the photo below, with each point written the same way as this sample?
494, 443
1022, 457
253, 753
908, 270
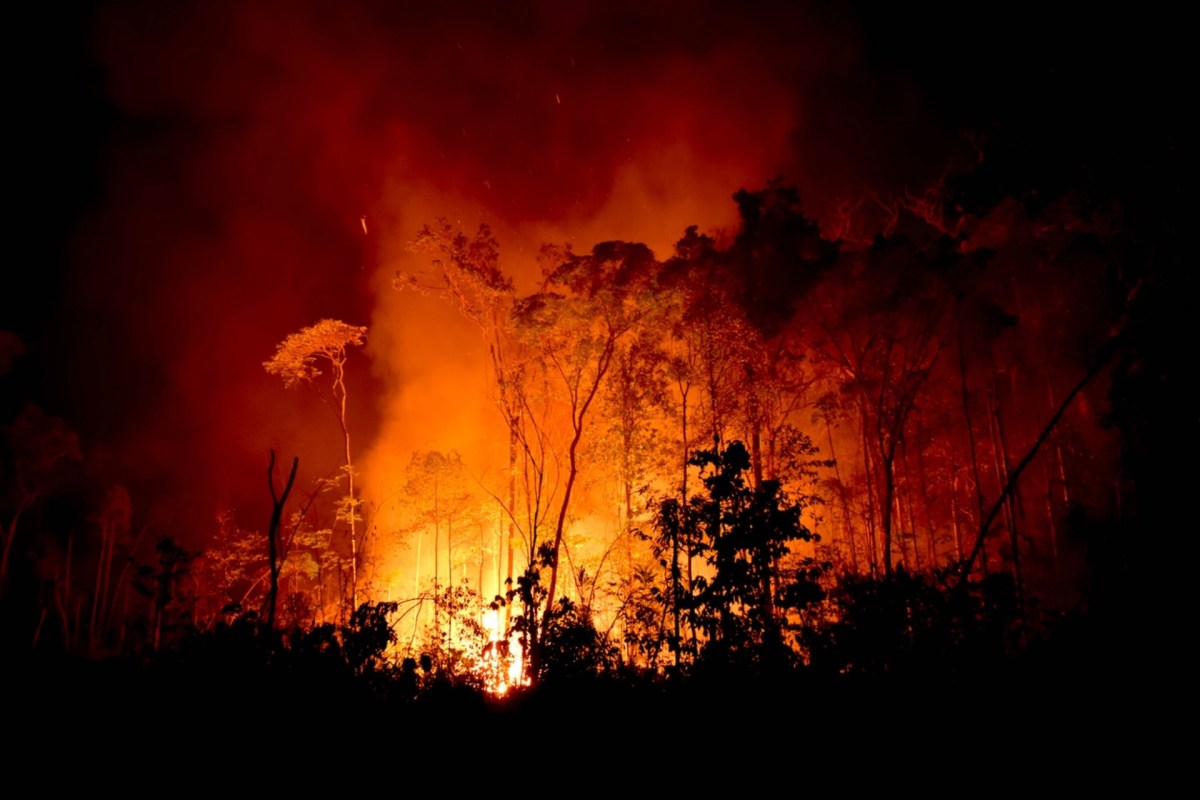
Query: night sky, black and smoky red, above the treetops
194, 181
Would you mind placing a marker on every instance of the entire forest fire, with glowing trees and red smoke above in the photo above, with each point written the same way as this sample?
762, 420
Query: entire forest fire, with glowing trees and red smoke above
580, 345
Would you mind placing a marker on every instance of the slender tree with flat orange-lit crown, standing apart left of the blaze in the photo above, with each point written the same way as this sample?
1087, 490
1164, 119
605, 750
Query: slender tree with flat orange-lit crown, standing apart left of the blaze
296, 362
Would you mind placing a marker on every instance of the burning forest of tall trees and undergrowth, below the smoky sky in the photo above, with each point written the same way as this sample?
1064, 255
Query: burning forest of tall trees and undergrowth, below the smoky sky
765, 455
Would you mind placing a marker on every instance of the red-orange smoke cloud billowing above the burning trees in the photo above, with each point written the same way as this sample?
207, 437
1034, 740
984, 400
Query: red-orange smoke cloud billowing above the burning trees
267, 164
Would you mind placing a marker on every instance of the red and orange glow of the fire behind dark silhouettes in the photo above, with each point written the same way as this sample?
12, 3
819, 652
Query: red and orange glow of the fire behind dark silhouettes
489, 444
